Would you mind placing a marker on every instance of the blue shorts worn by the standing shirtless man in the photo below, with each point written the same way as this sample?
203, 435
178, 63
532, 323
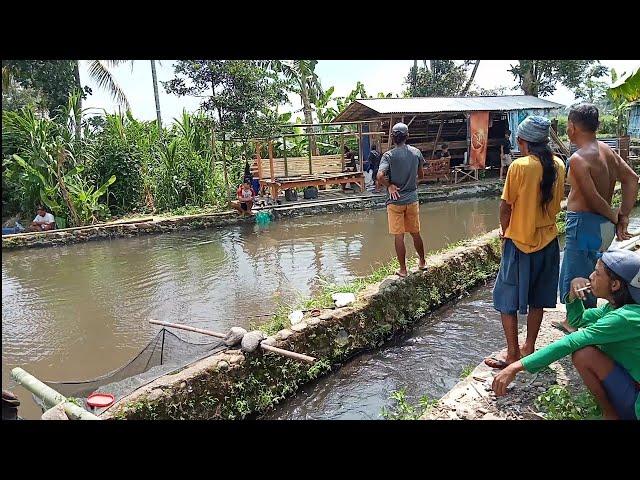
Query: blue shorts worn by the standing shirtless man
587, 236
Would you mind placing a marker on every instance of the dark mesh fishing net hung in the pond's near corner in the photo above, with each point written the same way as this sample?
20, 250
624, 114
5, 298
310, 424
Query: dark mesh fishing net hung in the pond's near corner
164, 354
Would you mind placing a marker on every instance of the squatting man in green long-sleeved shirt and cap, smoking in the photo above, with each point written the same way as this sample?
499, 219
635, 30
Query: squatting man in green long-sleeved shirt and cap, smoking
606, 347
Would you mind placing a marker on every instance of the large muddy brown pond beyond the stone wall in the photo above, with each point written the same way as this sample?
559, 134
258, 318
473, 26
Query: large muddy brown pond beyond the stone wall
78, 311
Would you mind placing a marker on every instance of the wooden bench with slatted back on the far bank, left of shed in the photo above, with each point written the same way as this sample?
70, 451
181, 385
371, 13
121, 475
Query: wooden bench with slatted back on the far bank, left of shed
299, 172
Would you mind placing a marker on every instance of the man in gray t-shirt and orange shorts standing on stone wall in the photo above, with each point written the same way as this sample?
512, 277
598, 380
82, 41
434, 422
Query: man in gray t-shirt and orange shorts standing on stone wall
399, 169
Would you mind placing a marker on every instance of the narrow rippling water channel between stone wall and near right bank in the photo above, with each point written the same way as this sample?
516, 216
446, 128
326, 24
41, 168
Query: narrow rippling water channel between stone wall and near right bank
427, 361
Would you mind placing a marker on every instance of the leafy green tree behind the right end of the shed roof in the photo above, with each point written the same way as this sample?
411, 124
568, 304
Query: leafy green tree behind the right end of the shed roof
540, 77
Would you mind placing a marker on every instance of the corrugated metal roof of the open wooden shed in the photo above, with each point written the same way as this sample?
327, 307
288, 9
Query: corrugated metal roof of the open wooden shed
454, 104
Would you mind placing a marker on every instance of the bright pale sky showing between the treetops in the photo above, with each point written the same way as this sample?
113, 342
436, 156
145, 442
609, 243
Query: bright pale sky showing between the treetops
377, 75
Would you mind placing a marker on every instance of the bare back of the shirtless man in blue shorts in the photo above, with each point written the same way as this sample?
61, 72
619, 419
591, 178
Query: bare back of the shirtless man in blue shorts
593, 167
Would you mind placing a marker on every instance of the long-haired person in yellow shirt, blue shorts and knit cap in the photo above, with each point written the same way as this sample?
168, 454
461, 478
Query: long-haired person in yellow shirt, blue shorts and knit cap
529, 269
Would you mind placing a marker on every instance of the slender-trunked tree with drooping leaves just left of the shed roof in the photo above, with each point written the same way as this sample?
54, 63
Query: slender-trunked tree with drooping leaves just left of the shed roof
305, 82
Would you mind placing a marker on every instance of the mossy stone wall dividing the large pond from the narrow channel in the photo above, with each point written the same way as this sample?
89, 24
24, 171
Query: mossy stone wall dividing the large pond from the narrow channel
232, 384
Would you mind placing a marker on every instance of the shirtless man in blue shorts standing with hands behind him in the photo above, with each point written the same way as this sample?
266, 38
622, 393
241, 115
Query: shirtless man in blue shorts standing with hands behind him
591, 221
